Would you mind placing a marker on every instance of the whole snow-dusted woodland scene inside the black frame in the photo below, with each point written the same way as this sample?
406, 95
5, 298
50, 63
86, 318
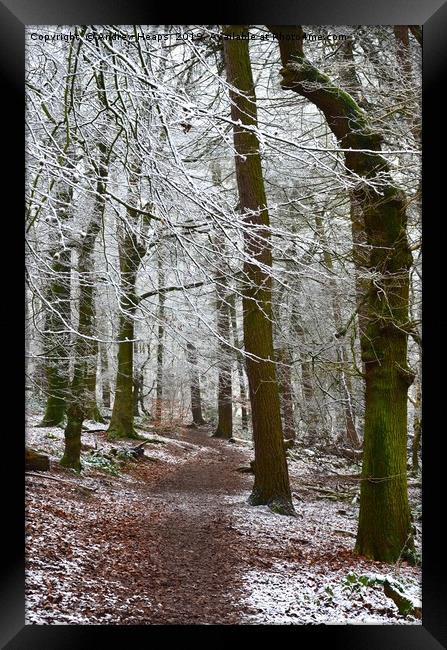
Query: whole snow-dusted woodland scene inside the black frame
223, 319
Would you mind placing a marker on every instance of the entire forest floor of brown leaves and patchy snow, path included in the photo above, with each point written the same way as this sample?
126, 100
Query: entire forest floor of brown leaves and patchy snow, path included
170, 539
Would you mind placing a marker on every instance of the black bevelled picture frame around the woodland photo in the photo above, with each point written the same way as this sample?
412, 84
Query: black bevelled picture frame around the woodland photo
432, 14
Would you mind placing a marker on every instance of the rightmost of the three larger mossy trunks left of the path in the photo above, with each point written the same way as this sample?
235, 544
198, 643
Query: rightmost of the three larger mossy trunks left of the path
131, 252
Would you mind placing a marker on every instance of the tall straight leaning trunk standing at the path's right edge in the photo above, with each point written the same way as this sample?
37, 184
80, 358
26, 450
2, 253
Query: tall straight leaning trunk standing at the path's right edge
271, 484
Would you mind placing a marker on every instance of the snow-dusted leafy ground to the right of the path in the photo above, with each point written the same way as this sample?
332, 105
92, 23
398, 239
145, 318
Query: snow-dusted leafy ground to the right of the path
310, 573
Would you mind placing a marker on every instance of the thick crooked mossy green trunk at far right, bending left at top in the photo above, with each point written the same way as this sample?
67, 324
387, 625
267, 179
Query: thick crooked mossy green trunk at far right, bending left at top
384, 530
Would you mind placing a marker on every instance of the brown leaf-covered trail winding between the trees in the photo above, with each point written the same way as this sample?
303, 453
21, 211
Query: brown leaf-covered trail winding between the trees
196, 577
